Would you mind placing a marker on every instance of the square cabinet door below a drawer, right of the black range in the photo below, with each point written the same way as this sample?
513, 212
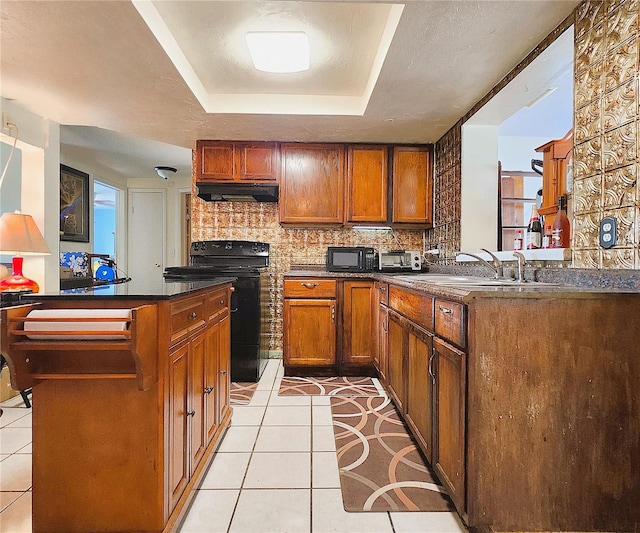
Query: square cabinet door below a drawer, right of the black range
309, 332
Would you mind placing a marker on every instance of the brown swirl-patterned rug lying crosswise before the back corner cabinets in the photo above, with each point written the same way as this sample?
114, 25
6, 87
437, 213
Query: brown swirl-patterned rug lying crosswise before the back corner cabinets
335, 386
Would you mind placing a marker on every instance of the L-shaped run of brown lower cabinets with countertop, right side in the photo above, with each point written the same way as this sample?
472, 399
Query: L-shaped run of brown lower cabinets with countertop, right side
524, 397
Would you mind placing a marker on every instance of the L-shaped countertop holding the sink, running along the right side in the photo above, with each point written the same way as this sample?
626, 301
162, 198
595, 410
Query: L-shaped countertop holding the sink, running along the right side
467, 293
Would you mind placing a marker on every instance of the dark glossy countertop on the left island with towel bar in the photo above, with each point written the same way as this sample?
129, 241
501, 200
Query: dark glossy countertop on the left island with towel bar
132, 290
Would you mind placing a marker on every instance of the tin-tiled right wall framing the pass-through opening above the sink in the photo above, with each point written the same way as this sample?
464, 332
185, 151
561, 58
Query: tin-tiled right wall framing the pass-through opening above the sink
606, 136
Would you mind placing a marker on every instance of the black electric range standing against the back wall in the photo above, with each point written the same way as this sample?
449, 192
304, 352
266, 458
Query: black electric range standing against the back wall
246, 261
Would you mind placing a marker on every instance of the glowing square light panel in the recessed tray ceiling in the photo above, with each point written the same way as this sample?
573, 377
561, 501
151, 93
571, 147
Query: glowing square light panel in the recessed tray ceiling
279, 52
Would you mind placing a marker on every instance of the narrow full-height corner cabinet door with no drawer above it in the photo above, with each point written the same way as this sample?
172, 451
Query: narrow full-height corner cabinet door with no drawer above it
358, 322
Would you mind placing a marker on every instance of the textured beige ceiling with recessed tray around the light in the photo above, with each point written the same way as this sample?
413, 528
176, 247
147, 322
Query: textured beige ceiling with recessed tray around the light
98, 64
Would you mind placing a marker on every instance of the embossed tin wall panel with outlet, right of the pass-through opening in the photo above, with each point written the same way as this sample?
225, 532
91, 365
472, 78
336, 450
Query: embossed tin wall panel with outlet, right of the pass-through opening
606, 130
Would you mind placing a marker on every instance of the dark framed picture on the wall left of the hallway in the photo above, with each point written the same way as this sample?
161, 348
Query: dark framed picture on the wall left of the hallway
74, 205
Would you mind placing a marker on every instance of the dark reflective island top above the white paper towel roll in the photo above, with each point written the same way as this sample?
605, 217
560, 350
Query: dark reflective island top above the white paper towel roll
94, 293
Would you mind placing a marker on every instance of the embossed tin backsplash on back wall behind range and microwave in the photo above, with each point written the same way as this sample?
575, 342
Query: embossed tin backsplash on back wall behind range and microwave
289, 246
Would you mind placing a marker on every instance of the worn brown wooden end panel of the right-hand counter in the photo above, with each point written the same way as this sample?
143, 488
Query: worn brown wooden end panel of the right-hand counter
553, 403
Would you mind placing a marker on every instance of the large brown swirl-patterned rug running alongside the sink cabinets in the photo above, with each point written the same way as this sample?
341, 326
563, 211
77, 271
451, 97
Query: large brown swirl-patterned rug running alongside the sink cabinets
380, 466
